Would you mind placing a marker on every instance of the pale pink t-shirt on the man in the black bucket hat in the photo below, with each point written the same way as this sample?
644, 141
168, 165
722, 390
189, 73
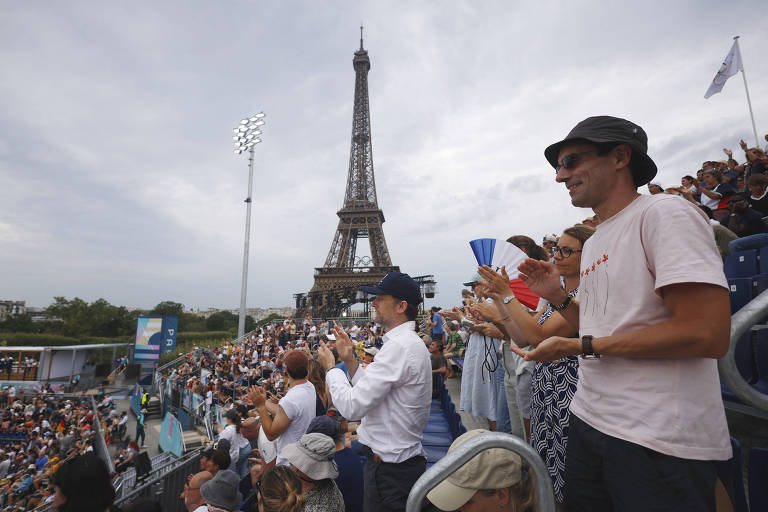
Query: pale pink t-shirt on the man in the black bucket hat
672, 406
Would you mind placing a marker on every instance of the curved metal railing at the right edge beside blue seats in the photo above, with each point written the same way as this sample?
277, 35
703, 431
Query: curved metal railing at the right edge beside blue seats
741, 321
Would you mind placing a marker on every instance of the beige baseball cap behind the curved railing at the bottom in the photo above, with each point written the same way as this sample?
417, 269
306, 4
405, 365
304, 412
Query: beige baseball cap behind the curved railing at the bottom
495, 468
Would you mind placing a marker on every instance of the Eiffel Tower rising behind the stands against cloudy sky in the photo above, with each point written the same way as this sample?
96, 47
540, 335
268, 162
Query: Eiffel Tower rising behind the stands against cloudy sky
338, 281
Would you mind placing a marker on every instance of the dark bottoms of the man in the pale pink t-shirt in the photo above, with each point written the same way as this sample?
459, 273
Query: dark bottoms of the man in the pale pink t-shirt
604, 473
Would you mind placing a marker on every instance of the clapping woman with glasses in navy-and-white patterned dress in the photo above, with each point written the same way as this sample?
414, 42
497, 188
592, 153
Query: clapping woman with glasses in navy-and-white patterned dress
553, 383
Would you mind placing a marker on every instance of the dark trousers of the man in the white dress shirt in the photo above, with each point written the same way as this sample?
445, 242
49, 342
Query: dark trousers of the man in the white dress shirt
387, 484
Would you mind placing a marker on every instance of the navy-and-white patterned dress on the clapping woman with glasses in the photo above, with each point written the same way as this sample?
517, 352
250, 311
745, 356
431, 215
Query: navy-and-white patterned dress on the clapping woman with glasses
552, 389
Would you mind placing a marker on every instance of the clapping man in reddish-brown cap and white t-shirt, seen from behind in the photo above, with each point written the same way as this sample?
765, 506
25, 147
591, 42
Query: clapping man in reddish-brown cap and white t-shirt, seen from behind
286, 421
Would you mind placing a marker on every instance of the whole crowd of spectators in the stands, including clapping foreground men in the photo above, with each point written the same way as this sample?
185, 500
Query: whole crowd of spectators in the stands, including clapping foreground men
296, 434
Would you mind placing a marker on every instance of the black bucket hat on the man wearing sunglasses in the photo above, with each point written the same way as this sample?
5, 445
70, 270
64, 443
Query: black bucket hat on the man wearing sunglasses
600, 129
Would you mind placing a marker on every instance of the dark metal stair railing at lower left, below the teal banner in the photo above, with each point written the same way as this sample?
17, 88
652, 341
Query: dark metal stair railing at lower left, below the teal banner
166, 483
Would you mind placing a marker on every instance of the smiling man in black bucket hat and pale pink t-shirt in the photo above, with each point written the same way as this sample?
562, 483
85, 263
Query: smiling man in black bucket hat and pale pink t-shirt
647, 419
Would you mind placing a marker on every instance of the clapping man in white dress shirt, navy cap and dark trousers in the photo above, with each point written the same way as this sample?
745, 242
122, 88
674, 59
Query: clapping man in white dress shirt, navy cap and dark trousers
392, 395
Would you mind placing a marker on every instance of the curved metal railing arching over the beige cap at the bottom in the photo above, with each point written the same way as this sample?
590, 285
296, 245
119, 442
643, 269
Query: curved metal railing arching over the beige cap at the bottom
462, 454
